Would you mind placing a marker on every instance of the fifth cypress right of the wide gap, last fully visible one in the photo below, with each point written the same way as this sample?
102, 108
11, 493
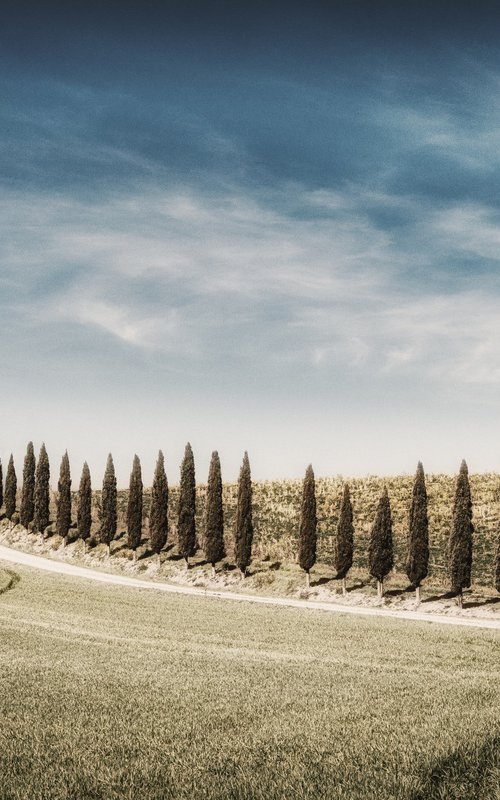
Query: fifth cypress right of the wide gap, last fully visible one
460, 542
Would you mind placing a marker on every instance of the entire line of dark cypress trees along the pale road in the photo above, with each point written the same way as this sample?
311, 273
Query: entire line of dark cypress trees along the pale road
34, 513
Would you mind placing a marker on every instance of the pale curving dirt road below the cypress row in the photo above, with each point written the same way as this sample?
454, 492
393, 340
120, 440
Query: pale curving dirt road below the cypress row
63, 568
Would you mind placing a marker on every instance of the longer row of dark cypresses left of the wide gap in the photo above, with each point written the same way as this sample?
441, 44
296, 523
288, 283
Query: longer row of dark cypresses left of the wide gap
34, 506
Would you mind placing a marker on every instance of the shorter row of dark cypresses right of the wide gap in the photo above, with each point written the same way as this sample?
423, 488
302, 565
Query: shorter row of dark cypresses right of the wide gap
381, 552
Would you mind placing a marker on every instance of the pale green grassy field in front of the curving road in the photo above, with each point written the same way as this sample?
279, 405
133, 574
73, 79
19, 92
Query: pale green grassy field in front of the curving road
109, 692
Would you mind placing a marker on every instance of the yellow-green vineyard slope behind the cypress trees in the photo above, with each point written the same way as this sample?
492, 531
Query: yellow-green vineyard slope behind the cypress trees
277, 504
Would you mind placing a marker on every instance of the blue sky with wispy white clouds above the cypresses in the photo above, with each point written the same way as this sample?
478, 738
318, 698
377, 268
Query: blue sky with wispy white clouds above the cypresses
272, 228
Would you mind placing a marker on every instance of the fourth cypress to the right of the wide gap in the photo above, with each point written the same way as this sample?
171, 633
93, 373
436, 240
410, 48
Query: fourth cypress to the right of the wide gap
418, 533
